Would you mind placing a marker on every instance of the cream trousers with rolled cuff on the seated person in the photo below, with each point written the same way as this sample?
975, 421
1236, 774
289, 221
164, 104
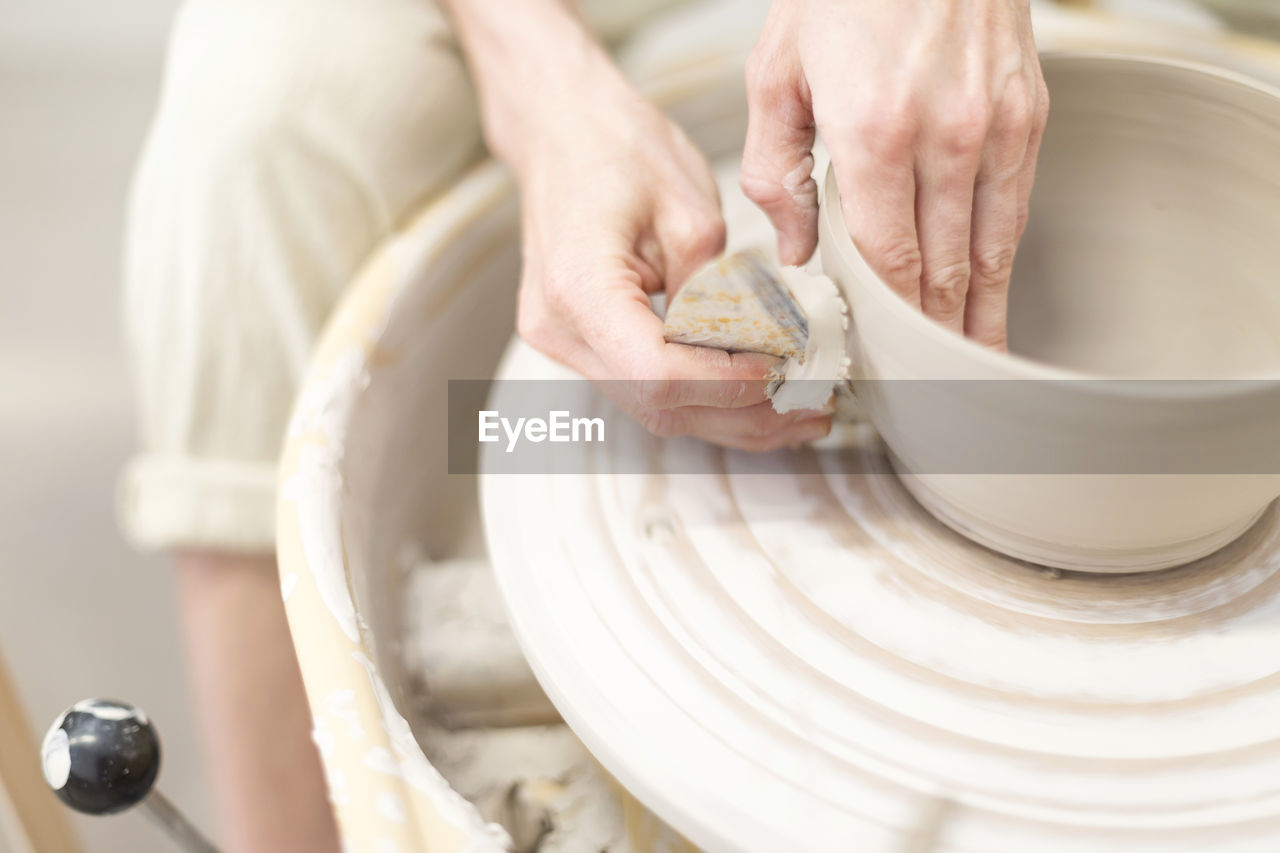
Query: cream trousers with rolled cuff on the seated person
291, 138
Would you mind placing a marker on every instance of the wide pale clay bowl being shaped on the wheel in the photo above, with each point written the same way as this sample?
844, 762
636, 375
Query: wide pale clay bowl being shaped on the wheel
1135, 423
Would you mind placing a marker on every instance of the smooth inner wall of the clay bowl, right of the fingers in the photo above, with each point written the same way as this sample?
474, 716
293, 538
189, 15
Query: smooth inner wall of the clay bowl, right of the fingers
1154, 241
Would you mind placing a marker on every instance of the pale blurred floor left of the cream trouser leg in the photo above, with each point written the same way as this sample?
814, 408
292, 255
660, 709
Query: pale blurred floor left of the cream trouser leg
80, 614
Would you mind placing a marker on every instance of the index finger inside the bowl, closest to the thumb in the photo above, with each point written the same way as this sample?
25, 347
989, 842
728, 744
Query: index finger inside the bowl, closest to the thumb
877, 197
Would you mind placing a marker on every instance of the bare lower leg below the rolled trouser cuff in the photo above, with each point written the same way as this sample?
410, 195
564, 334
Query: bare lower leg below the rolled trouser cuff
252, 708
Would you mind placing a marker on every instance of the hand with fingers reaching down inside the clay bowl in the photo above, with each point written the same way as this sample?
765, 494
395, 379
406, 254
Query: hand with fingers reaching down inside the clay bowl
932, 112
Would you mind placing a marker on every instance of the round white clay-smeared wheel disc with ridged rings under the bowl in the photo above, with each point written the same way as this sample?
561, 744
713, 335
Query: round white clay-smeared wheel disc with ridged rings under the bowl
789, 654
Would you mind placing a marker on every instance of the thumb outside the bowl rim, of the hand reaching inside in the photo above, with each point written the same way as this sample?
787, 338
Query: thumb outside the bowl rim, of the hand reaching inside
778, 159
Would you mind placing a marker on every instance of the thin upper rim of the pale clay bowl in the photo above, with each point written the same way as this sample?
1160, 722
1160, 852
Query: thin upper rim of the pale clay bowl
1021, 367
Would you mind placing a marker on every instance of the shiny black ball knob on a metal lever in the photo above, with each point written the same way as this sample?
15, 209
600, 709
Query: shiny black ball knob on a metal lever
102, 756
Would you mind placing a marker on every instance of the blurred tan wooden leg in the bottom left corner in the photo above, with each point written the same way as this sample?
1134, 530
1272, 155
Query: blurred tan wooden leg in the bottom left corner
31, 818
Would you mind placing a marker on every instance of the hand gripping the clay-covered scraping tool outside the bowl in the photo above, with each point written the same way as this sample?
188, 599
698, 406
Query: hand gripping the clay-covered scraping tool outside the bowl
618, 204
